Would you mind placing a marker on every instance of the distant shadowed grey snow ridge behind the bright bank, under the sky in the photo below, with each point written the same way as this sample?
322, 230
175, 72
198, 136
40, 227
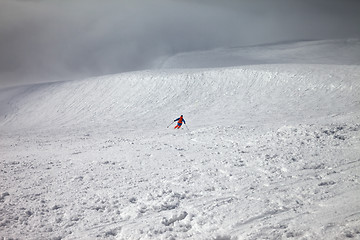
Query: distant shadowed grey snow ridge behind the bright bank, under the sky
334, 52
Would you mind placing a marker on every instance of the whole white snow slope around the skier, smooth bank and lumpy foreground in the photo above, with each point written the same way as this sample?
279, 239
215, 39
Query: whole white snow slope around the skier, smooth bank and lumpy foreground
268, 152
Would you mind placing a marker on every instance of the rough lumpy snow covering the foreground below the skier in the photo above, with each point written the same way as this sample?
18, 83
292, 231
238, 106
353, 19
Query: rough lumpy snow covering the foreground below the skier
234, 182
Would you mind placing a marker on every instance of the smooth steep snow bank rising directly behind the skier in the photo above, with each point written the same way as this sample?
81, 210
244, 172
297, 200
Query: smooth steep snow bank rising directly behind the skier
282, 92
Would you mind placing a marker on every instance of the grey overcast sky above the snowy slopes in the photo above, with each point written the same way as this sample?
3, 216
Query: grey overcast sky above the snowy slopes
47, 40
